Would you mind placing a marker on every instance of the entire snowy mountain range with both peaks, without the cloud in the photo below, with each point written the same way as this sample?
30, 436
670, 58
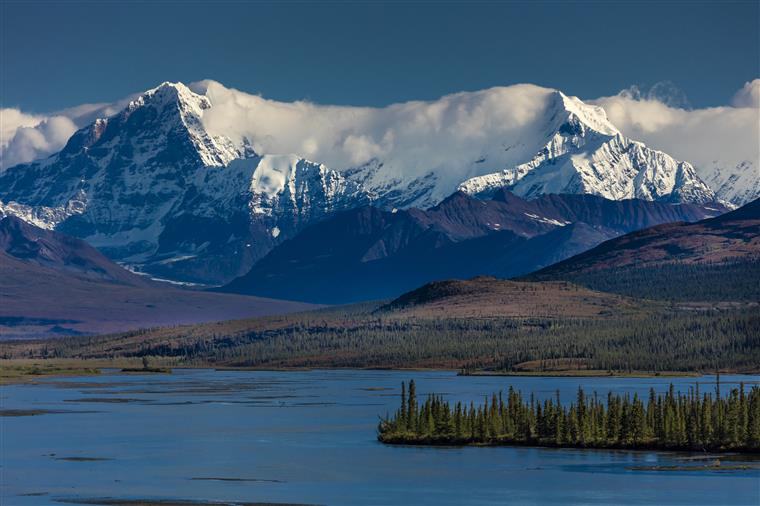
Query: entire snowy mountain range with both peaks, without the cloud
151, 187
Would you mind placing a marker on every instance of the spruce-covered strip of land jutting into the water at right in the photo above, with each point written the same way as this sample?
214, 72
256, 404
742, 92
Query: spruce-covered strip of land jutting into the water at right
670, 421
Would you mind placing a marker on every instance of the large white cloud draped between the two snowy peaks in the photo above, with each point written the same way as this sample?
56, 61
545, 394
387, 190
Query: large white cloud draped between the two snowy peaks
447, 135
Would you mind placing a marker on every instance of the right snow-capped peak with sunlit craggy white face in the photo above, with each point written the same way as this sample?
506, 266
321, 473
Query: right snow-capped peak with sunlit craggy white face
586, 154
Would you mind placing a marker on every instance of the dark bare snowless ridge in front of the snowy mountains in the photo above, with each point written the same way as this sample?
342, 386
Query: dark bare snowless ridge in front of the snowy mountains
369, 253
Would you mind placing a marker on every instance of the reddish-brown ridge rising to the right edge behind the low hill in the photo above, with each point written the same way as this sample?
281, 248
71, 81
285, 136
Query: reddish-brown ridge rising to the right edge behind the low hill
716, 258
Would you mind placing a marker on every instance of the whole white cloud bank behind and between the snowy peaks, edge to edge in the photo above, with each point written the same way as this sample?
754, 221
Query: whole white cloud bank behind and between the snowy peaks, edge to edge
425, 134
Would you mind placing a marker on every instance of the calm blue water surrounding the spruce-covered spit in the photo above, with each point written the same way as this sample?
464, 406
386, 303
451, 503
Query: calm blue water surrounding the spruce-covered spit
309, 437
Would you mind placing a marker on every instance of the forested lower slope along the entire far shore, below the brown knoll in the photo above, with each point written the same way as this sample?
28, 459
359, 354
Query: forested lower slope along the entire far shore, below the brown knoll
657, 341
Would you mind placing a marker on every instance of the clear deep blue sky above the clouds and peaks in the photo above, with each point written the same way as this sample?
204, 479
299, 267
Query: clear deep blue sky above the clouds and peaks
60, 54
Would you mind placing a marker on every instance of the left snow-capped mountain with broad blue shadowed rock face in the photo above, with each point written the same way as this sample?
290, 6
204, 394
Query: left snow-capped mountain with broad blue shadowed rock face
150, 187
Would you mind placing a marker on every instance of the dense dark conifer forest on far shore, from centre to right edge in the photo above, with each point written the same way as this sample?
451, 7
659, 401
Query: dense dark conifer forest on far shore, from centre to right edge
683, 341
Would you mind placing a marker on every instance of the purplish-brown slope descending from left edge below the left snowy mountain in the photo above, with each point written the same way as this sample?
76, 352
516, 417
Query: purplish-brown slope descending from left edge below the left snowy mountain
56, 285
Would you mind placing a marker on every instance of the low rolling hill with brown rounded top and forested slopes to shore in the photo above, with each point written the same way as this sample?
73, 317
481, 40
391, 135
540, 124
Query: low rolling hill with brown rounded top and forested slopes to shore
482, 323
